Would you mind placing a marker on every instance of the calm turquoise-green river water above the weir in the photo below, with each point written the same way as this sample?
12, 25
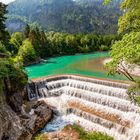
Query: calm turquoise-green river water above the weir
83, 64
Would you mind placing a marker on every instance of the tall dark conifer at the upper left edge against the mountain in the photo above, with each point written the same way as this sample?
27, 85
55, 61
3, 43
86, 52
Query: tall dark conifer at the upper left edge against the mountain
4, 35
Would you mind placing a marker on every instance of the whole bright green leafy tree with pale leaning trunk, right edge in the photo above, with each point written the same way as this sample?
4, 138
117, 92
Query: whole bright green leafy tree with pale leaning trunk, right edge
126, 53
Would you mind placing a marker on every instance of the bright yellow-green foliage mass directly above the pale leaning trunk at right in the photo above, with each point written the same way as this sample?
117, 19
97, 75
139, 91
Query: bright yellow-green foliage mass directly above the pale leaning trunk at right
127, 49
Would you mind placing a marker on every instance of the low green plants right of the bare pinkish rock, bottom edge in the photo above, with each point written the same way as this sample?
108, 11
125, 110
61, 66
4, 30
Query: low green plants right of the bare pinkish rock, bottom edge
90, 135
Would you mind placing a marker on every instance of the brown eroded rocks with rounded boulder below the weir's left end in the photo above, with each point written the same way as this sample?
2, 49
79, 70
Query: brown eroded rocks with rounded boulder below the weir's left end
23, 126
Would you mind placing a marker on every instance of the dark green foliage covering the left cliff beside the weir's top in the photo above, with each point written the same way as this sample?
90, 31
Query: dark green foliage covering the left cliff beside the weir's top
12, 72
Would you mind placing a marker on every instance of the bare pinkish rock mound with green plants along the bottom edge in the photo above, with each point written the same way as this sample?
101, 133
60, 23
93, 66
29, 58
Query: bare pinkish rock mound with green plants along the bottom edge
73, 132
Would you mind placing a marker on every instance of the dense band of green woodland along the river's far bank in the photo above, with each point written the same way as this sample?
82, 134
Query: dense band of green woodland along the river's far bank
34, 44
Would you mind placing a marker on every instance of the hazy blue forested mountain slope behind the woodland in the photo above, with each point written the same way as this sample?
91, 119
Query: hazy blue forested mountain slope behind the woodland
72, 16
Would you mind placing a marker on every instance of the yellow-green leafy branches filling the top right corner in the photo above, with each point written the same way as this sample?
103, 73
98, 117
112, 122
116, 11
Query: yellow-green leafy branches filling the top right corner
130, 21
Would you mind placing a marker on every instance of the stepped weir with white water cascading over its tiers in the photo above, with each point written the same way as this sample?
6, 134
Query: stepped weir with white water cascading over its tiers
96, 105
